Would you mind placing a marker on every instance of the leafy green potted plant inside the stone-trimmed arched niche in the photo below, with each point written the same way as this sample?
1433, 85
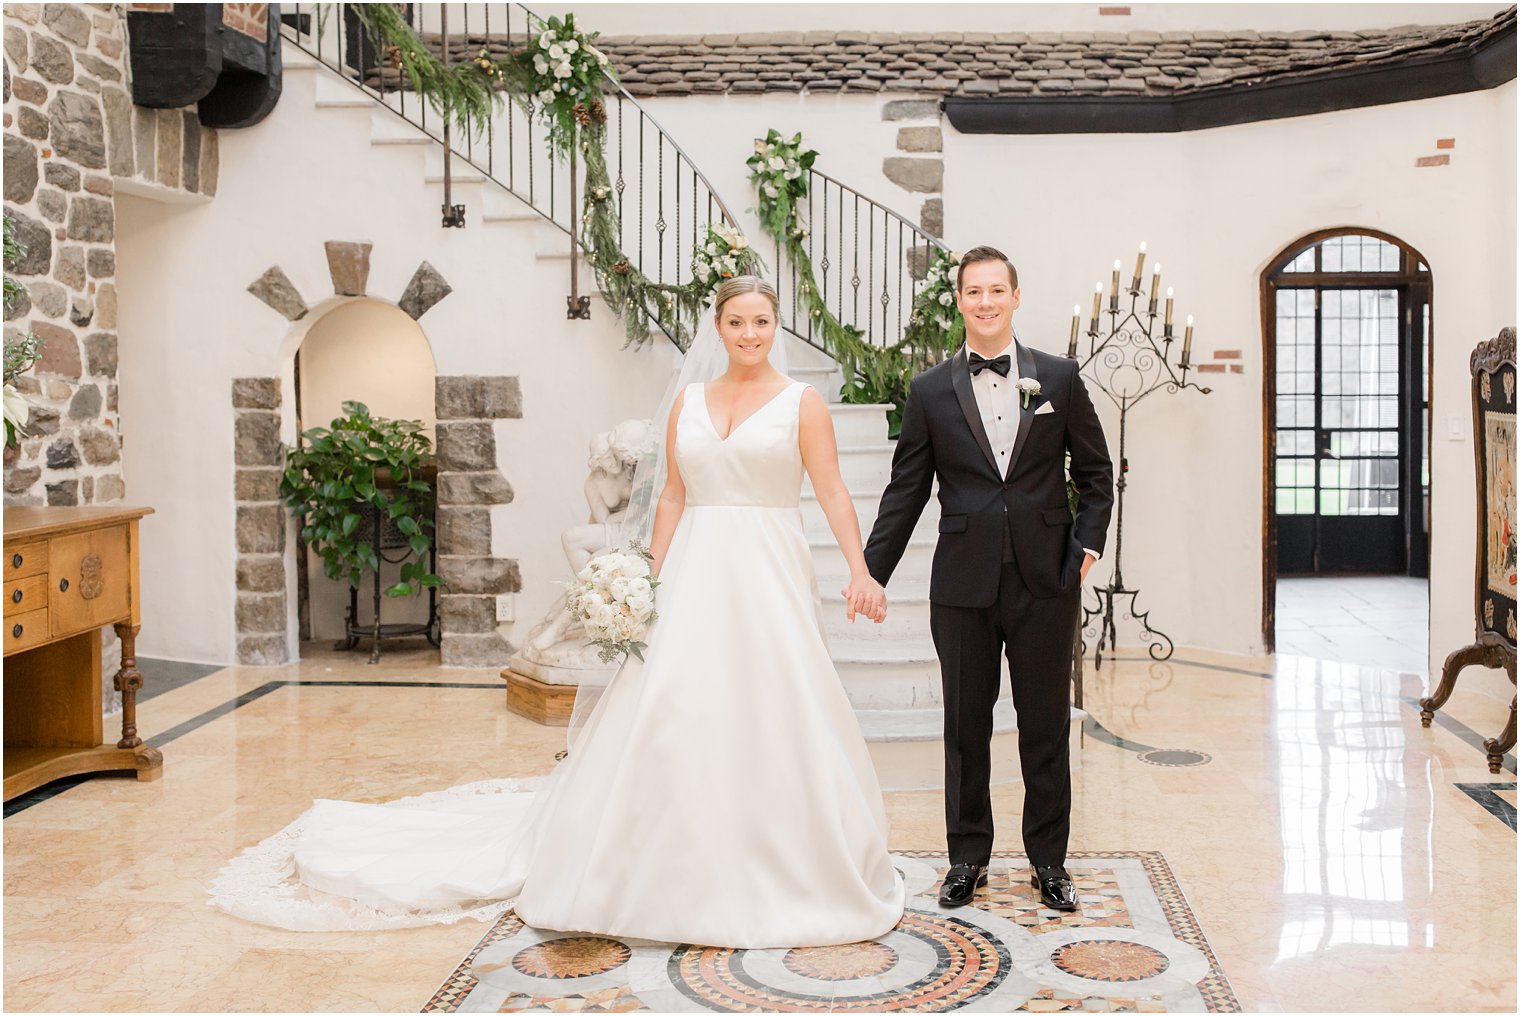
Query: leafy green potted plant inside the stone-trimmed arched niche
359, 462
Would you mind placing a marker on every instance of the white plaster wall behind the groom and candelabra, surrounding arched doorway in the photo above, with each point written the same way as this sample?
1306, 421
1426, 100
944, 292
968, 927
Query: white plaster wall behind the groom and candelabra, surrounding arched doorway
1215, 208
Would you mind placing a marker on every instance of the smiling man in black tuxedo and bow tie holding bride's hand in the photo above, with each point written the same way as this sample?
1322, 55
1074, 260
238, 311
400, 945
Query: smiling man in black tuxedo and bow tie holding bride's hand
995, 425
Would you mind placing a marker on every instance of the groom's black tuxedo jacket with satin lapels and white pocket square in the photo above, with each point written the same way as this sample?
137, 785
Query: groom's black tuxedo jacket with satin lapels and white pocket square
943, 437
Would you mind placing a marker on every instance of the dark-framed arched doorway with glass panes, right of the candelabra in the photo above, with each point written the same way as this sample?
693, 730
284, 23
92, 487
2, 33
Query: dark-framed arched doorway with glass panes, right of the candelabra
1347, 319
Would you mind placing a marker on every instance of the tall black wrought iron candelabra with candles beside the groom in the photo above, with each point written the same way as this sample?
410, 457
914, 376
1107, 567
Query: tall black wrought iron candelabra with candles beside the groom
1127, 364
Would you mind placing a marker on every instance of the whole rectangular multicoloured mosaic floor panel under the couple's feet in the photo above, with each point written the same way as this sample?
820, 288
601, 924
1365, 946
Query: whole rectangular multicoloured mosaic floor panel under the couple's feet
1133, 947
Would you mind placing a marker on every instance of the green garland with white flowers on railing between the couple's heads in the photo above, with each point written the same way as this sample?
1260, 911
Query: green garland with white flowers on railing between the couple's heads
875, 375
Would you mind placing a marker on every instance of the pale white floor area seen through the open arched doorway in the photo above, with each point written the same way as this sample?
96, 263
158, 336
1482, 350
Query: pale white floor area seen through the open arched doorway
1375, 620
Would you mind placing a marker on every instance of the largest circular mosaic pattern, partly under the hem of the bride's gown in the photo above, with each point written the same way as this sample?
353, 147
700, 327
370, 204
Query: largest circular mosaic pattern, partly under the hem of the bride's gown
954, 964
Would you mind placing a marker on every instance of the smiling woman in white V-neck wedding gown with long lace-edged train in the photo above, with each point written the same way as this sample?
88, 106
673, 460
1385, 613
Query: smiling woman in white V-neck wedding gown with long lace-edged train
720, 792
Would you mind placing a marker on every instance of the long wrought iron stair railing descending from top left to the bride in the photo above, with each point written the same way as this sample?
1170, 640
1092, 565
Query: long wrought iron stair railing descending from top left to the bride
663, 200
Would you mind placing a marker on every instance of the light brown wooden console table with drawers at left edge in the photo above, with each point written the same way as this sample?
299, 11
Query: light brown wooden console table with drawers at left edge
68, 573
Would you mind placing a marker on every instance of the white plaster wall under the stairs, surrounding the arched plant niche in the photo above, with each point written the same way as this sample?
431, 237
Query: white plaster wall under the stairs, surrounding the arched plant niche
189, 328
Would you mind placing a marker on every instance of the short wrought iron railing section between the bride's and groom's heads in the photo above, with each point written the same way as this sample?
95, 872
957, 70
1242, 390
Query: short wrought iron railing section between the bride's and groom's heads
869, 262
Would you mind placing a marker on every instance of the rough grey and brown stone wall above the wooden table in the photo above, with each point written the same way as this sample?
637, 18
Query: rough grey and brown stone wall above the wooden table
72, 138
